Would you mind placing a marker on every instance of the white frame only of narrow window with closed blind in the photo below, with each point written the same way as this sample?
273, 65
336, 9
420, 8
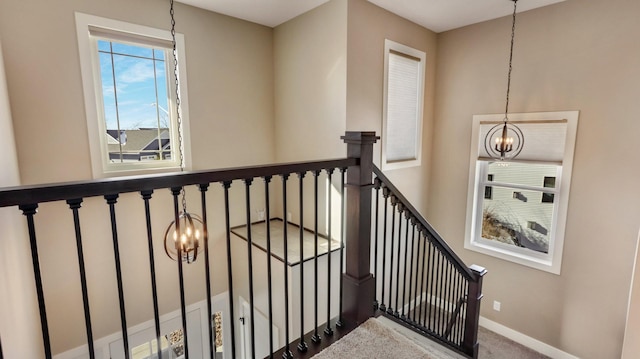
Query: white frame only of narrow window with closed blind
392, 46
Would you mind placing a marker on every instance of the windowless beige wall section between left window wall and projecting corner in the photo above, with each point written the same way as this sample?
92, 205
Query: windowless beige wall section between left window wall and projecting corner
310, 71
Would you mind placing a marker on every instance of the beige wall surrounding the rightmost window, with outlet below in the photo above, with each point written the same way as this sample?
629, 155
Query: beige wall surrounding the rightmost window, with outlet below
576, 55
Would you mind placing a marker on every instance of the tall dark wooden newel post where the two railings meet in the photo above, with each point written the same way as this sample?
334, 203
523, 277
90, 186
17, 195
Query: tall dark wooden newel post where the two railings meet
358, 281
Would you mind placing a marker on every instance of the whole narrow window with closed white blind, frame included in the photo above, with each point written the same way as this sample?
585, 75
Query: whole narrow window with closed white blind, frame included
403, 106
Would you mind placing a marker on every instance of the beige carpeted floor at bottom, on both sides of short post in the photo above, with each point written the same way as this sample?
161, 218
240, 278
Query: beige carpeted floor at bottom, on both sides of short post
381, 338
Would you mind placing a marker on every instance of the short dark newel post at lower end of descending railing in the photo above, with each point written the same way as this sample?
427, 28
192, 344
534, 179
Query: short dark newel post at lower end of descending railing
470, 342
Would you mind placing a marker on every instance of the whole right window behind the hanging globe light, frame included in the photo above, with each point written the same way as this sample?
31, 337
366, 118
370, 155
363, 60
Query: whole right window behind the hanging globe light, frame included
523, 218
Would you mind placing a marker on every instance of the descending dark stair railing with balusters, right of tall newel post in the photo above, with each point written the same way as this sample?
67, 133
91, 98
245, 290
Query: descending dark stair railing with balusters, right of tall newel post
421, 282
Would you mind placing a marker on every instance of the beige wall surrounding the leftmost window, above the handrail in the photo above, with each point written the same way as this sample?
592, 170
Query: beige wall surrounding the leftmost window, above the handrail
231, 103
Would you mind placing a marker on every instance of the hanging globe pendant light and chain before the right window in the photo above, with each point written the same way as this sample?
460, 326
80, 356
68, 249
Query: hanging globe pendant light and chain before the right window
505, 140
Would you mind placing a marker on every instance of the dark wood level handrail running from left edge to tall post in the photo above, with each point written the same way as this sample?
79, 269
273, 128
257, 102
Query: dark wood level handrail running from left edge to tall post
33, 194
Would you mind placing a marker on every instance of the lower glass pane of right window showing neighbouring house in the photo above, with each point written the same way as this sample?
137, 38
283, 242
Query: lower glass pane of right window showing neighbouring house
517, 217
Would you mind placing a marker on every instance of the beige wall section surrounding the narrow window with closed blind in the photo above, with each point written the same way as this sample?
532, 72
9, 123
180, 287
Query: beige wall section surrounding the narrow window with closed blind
369, 26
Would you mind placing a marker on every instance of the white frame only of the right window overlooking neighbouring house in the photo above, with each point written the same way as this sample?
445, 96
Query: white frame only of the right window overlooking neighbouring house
551, 261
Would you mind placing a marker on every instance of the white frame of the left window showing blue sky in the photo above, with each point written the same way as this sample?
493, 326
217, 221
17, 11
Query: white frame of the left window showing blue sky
90, 68
